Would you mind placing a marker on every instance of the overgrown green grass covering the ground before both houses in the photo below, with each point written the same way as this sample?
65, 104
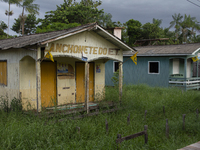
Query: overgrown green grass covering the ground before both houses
27, 132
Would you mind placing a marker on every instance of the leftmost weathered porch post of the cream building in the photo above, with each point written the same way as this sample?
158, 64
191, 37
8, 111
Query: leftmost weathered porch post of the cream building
38, 80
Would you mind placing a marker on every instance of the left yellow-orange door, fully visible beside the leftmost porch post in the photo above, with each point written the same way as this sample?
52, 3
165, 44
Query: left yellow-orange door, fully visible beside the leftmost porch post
48, 84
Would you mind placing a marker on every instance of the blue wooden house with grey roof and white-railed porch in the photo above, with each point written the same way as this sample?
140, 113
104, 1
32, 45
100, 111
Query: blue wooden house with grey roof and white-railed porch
160, 65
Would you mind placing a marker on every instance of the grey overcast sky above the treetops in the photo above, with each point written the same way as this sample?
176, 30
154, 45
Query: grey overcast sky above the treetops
121, 10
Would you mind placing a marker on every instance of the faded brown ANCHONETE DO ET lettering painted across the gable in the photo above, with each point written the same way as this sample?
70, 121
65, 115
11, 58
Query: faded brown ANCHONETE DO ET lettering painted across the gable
67, 48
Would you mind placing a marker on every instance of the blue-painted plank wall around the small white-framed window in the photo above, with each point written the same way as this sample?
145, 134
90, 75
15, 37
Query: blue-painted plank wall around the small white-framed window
136, 74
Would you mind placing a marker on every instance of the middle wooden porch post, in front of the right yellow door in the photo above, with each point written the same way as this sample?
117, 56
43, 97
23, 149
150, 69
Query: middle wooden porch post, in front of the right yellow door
87, 66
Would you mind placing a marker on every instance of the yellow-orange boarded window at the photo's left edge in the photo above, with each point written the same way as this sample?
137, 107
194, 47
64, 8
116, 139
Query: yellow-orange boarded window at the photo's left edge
3, 72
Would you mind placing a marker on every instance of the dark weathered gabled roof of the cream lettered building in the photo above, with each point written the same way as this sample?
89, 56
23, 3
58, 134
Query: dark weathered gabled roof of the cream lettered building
42, 38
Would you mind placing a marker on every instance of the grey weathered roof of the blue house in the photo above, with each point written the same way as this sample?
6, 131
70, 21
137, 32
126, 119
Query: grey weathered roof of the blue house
166, 50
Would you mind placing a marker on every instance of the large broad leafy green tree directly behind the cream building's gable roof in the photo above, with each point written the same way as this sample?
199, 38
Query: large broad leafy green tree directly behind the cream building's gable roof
73, 12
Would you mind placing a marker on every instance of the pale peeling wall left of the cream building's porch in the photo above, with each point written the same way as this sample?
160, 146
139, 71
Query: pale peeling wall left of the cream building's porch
13, 56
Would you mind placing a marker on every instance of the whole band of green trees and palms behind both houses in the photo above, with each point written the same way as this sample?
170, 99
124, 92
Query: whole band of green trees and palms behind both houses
182, 28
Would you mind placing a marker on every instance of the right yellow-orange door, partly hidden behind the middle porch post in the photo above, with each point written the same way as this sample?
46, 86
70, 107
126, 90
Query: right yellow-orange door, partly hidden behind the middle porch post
80, 82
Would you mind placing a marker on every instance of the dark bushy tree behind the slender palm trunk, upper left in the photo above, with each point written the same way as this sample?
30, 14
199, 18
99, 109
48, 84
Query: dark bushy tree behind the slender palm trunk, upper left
30, 25
